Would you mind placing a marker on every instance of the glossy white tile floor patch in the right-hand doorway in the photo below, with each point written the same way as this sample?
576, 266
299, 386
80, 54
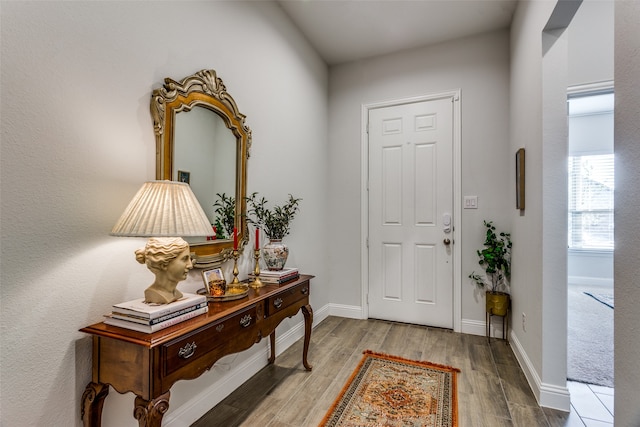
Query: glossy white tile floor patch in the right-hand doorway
592, 404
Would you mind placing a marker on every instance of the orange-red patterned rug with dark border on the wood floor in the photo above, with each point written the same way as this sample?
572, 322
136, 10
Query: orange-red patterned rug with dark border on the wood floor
392, 391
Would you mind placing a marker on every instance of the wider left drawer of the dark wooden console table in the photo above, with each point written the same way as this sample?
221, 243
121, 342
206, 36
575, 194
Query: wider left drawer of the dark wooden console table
185, 350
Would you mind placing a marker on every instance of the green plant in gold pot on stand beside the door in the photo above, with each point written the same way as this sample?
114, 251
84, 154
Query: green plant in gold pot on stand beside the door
495, 259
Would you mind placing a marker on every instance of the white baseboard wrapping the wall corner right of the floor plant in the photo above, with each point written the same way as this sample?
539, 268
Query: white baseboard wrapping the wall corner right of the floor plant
548, 395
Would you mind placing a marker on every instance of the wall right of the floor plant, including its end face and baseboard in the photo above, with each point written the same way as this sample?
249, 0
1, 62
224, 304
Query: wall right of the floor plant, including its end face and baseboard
539, 255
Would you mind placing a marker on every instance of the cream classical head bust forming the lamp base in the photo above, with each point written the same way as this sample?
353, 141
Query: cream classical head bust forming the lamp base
170, 260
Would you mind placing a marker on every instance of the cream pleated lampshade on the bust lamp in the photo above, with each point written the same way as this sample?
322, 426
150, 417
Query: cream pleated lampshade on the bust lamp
163, 209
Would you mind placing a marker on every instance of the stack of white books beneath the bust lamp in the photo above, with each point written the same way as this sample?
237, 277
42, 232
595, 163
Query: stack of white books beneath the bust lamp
140, 316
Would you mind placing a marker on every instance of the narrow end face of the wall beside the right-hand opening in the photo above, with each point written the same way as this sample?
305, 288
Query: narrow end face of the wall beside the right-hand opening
554, 224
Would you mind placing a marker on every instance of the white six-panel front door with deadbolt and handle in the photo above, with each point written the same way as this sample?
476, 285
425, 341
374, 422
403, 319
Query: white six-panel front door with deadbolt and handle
411, 212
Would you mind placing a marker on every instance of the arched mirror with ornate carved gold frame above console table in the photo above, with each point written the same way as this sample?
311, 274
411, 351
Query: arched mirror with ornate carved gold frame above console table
202, 138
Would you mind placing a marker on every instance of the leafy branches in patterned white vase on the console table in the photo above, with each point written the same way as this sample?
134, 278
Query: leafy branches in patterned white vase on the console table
276, 224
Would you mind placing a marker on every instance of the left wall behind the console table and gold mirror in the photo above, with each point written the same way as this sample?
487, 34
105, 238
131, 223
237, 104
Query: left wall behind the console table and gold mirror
77, 143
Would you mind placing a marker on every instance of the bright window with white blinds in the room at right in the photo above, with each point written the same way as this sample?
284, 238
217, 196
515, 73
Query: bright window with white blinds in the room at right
591, 182
